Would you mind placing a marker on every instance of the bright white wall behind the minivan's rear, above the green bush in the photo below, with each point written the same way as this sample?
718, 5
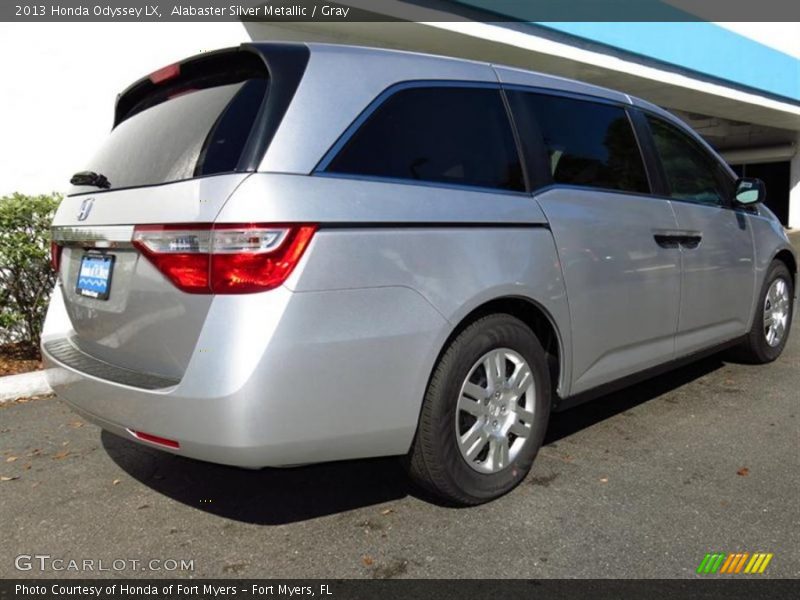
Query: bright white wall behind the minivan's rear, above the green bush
59, 82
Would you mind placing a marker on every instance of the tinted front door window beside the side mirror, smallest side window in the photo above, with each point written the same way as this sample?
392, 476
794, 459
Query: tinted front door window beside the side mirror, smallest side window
692, 174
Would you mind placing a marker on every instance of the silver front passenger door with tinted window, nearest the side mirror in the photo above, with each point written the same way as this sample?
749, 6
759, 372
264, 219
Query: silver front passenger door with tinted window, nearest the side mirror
717, 249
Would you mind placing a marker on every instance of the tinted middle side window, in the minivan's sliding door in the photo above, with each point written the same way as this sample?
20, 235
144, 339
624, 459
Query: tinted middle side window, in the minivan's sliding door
585, 143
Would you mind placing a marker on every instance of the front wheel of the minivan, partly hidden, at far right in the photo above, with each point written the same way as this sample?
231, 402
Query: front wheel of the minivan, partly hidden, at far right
772, 322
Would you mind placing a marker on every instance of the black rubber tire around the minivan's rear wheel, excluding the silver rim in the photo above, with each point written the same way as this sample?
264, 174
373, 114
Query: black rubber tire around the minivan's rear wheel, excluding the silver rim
435, 461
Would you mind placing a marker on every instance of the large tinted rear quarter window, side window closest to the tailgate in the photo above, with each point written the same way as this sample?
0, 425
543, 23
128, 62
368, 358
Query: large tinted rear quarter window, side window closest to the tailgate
438, 134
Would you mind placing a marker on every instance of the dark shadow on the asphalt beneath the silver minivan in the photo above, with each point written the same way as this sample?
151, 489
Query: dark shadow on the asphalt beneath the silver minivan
279, 496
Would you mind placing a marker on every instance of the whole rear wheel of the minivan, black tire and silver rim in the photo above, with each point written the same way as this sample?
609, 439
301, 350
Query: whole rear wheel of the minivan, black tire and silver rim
485, 413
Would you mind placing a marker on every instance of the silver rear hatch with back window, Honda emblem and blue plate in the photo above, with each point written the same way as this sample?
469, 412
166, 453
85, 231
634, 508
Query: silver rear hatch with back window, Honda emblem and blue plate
183, 139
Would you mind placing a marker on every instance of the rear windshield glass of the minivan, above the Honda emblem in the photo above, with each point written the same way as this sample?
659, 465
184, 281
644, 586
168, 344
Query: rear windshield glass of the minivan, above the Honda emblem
191, 128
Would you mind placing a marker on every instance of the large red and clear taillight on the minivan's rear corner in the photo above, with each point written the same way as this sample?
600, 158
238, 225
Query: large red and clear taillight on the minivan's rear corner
226, 258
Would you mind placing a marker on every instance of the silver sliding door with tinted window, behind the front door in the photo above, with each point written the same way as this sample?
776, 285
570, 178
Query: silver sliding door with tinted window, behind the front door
622, 275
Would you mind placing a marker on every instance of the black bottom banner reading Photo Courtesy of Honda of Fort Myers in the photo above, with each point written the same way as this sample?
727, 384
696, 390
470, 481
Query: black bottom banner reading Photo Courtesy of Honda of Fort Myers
410, 589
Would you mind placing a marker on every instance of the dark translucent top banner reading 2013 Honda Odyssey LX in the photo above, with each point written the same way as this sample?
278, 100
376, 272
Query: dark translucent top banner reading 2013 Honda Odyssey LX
351, 11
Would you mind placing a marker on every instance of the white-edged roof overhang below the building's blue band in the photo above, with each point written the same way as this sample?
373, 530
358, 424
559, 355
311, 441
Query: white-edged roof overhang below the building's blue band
517, 45
